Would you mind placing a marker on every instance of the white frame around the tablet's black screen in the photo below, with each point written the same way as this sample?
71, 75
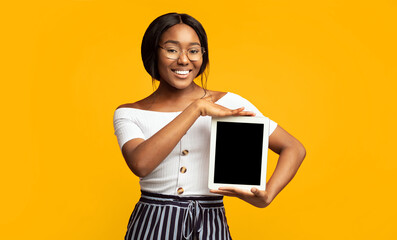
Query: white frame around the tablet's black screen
239, 119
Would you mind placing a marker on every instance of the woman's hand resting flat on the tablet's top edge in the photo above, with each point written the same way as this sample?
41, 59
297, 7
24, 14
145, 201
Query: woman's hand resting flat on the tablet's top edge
208, 108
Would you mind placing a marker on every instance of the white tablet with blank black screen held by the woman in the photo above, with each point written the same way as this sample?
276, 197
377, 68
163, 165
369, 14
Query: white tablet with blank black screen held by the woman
238, 152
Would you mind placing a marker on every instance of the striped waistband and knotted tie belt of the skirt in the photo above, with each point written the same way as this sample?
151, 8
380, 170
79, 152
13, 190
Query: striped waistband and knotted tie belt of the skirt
193, 206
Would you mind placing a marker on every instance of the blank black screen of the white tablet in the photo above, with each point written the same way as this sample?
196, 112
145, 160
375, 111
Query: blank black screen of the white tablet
238, 153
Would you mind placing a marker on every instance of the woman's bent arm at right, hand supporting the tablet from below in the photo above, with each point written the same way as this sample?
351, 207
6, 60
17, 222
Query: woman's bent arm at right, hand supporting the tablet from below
291, 154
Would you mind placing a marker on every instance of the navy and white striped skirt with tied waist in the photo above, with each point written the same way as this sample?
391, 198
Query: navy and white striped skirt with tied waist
163, 217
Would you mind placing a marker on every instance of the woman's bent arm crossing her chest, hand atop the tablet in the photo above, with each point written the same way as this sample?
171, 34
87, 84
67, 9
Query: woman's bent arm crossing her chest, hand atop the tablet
143, 156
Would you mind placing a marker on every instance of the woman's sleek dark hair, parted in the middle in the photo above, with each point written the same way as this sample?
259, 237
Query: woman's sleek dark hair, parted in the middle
151, 39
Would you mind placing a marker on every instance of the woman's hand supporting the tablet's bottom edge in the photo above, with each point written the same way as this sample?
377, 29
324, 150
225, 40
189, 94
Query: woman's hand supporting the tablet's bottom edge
256, 197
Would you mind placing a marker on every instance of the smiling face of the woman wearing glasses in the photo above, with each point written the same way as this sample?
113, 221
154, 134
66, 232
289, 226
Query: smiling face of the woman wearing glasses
178, 73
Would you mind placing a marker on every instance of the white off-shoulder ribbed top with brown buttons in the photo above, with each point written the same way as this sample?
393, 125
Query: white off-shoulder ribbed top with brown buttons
168, 176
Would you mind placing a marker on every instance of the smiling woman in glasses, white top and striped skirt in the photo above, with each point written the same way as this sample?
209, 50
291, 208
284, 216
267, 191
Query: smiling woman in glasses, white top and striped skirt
164, 139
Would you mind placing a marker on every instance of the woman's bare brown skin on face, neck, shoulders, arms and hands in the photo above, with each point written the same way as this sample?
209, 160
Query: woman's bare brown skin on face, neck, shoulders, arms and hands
178, 92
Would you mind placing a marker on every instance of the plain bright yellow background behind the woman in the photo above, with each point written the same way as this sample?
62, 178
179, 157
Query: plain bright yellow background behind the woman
323, 70
